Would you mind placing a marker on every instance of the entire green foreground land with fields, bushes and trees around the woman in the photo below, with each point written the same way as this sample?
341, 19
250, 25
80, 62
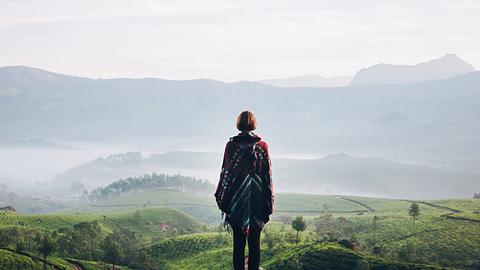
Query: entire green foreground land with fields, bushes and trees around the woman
340, 232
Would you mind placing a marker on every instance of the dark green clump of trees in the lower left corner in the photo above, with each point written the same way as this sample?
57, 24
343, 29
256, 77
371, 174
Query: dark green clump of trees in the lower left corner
84, 241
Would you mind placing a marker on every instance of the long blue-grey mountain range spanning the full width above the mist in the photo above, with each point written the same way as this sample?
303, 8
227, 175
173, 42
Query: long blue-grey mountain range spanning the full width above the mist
433, 122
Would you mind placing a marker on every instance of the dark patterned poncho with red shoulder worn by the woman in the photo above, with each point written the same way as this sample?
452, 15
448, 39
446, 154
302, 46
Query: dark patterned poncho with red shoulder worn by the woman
245, 191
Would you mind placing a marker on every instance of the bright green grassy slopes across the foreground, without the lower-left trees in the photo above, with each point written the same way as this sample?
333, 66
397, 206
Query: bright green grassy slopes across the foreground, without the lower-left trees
439, 237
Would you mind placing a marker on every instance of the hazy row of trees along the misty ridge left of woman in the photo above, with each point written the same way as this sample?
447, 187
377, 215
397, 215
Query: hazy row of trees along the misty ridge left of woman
151, 182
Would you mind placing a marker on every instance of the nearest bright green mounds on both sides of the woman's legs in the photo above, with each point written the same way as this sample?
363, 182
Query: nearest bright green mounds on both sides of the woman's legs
213, 251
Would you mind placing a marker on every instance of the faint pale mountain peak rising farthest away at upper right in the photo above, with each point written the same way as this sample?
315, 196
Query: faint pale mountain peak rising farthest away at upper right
447, 66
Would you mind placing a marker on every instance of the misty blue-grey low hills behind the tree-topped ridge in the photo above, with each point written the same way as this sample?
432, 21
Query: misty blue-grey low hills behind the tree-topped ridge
333, 174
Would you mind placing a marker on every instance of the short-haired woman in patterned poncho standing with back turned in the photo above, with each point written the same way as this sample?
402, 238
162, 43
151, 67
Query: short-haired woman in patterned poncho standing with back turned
245, 191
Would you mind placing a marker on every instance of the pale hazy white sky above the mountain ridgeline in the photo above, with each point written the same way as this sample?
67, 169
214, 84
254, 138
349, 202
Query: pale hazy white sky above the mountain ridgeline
233, 40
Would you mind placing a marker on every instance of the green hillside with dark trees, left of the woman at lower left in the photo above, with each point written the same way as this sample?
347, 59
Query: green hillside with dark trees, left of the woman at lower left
116, 238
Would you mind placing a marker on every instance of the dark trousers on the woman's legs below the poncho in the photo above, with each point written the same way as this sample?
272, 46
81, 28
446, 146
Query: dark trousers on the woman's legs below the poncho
239, 241
